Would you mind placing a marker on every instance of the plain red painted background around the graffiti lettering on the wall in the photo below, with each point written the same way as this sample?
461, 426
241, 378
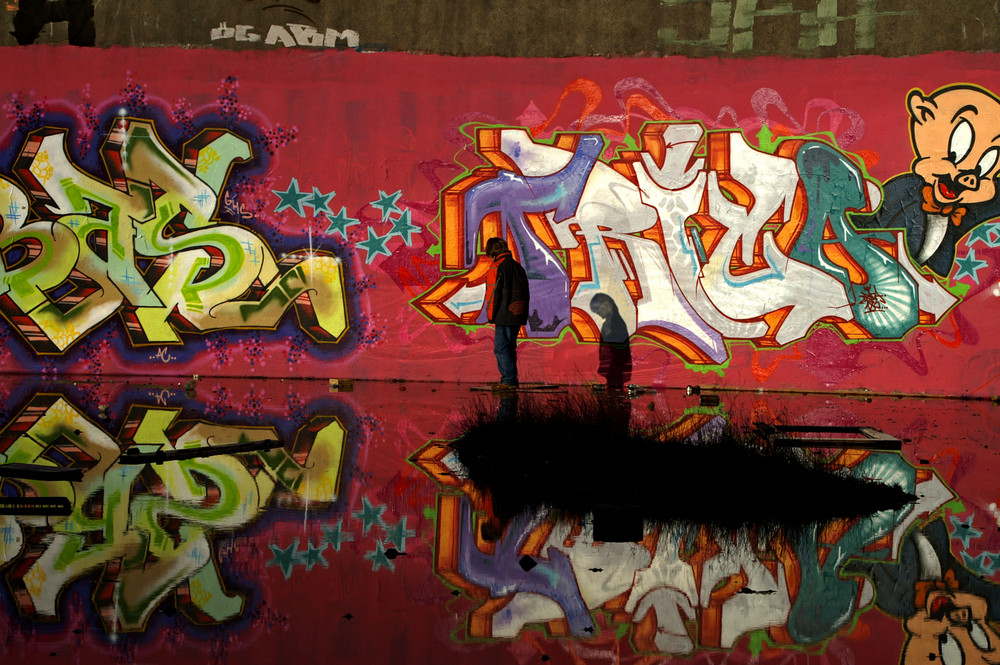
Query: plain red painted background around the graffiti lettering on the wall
365, 126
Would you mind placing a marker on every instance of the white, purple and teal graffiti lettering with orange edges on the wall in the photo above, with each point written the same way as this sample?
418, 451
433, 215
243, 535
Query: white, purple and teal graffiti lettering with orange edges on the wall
698, 238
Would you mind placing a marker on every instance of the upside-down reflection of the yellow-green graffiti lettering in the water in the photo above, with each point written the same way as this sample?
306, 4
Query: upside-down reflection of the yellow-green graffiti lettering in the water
146, 531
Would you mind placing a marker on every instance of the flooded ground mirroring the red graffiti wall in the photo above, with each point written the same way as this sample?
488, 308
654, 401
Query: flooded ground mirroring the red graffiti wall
346, 530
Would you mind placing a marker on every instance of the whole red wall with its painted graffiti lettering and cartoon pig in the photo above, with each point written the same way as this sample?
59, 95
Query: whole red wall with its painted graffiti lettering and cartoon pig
774, 223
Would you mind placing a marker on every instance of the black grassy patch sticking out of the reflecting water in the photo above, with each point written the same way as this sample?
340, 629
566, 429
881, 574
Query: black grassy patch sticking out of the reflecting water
582, 456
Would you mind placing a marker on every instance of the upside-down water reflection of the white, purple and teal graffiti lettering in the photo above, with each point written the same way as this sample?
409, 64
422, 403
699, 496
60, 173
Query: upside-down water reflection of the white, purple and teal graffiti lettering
681, 588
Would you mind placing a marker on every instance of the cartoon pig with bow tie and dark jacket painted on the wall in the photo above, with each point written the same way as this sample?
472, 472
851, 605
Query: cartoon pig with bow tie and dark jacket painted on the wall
955, 133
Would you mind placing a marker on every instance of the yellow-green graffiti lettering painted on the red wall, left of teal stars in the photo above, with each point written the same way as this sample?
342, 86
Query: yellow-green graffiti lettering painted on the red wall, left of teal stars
146, 247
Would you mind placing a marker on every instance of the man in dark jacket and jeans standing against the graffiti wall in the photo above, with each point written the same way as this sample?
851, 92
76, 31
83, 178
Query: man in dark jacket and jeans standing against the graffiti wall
506, 307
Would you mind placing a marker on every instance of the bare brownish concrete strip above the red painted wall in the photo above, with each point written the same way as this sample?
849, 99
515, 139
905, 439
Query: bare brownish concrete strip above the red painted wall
519, 27
